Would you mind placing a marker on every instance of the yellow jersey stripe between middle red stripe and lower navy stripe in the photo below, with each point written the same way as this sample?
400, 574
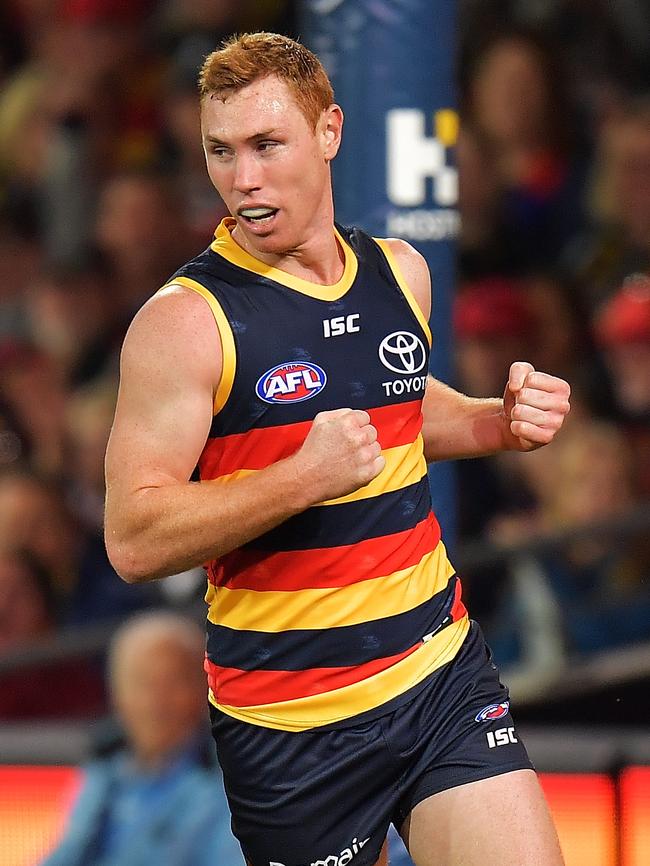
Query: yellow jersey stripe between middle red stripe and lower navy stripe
331, 607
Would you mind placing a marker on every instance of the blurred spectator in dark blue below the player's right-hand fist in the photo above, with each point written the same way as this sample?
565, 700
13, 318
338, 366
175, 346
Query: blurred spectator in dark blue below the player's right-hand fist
601, 584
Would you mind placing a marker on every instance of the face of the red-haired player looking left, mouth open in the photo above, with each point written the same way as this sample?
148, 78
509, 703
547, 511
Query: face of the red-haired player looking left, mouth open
269, 166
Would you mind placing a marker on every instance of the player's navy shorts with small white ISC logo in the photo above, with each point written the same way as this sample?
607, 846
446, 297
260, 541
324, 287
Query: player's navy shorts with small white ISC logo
327, 796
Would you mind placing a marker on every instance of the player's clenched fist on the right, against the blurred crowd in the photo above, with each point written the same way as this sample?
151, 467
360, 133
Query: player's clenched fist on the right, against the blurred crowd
535, 405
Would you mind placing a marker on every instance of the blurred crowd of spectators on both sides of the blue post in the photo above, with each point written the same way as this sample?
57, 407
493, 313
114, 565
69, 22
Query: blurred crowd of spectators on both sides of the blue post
103, 194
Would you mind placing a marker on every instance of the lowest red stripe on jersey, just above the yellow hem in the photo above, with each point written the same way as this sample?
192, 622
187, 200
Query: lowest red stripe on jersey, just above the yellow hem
238, 688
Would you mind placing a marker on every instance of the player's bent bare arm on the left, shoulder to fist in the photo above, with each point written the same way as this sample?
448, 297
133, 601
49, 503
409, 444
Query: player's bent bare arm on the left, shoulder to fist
158, 522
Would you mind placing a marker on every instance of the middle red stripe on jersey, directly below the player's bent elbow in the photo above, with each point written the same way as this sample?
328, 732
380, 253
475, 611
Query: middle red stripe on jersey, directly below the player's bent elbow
326, 567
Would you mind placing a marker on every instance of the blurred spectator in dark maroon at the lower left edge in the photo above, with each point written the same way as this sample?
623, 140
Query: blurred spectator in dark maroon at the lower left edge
28, 615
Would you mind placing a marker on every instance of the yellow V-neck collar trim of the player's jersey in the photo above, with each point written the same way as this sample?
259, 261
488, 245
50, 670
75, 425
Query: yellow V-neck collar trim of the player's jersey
225, 246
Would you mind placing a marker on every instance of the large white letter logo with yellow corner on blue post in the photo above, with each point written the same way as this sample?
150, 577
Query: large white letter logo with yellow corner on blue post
413, 157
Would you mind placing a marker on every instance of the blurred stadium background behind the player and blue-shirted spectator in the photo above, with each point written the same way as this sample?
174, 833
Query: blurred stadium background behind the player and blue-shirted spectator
103, 194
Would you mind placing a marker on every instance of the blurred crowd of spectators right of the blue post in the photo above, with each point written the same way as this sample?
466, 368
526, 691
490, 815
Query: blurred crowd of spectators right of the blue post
554, 268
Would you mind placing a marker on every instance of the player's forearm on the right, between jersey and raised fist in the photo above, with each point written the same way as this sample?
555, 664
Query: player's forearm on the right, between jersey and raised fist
456, 426
